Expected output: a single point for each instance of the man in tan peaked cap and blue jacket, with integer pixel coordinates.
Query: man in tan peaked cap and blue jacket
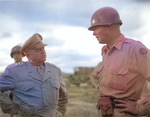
(37, 86)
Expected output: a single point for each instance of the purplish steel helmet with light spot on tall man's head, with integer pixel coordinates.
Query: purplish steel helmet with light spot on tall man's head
(105, 16)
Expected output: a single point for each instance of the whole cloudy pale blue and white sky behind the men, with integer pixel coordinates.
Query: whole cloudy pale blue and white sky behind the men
(64, 25)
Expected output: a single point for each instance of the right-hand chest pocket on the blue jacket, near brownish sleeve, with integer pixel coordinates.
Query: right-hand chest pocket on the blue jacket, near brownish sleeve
(55, 89)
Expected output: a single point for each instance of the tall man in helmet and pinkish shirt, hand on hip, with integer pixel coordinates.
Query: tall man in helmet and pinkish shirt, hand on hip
(125, 64)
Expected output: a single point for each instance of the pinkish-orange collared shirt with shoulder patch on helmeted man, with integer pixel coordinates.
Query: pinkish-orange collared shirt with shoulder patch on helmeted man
(126, 67)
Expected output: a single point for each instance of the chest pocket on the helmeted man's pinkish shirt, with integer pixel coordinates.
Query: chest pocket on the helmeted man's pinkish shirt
(117, 78)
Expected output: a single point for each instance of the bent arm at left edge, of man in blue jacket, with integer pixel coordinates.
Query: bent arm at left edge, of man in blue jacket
(6, 84)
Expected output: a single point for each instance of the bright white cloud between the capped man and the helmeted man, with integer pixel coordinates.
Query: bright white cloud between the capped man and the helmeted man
(77, 50)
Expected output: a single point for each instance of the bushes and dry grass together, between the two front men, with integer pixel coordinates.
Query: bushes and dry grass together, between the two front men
(82, 95)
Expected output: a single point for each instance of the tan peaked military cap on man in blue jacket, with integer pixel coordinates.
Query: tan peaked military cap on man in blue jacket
(35, 41)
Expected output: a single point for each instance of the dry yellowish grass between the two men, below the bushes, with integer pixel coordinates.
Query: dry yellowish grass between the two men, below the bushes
(82, 102)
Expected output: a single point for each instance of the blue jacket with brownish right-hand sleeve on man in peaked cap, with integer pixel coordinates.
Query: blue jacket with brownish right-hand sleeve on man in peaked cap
(33, 94)
